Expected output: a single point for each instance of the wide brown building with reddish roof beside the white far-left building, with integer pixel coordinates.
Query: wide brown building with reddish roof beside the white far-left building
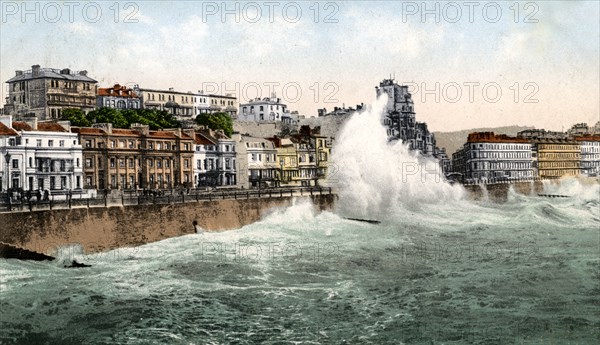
(136, 158)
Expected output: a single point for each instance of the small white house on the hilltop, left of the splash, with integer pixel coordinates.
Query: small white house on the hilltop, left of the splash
(266, 109)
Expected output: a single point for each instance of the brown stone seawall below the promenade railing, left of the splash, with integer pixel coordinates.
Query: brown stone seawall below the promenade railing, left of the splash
(105, 228)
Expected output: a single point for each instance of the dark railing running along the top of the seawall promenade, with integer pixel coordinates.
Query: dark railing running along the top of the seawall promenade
(145, 198)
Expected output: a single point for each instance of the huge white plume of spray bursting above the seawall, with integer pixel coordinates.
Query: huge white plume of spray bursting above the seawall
(375, 176)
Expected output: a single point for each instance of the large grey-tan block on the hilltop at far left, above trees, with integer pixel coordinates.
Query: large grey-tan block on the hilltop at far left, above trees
(45, 92)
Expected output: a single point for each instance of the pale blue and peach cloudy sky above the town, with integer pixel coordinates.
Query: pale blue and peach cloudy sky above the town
(468, 64)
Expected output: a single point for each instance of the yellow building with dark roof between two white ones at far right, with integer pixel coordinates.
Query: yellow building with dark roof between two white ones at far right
(557, 158)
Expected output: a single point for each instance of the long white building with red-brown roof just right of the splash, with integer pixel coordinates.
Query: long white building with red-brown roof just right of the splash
(490, 158)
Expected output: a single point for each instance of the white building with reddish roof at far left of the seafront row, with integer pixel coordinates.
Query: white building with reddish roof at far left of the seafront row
(42, 156)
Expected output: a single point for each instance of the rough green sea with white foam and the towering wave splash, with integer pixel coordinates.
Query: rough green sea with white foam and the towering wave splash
(438, 268)
